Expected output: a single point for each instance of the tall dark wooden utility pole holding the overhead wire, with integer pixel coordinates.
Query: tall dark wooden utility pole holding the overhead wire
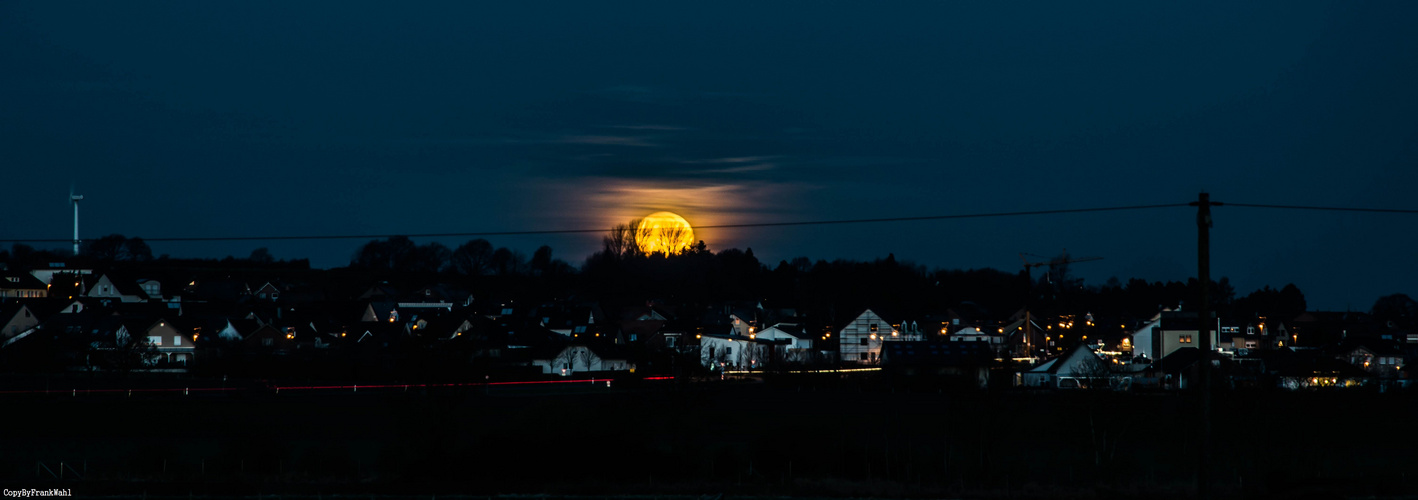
(1205, 342)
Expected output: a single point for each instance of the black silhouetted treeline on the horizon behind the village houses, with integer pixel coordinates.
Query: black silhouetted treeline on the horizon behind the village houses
(700, 277)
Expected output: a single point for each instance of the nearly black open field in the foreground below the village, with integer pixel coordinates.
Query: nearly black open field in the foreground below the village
(783, 438)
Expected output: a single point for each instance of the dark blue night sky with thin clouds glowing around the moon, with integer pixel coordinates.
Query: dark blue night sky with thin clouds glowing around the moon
(235, 120)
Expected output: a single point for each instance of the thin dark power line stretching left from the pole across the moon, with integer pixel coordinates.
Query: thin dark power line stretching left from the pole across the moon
(603, 230)
